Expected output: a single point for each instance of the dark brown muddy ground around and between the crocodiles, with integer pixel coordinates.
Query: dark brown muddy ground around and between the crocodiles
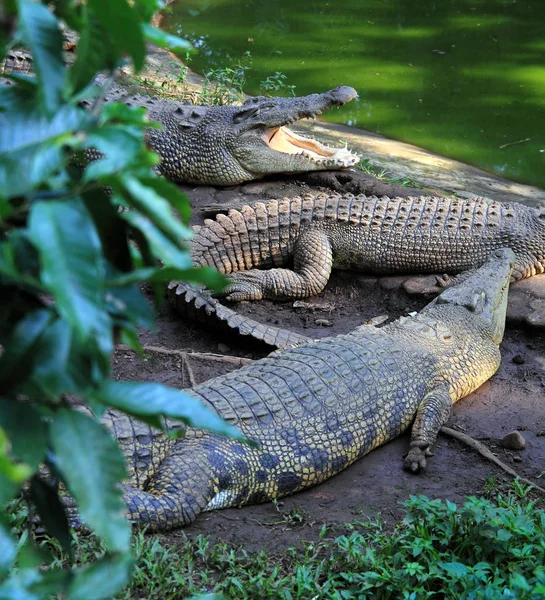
(513, 399)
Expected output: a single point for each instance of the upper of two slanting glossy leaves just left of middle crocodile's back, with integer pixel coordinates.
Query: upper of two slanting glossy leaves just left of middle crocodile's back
(146, 196)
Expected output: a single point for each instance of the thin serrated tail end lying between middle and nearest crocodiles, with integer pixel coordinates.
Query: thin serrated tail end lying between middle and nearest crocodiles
(198, 304)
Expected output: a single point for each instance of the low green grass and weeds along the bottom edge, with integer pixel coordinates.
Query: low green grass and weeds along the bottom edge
(483, 549)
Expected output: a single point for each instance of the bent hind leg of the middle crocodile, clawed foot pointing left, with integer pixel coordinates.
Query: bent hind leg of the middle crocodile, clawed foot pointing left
(313, 260)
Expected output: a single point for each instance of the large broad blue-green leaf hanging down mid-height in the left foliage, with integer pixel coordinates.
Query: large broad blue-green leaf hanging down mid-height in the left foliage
(72, 265)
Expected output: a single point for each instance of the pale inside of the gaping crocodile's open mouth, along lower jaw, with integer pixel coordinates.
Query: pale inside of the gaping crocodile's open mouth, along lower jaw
(282, 139)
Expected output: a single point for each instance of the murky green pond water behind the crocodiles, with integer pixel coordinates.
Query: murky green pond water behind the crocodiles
(464, 78)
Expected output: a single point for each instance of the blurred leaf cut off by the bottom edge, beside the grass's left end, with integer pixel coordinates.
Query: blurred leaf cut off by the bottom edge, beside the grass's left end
(102, 579)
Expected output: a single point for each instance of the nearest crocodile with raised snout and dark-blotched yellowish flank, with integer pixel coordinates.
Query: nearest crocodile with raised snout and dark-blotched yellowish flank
(313, 410)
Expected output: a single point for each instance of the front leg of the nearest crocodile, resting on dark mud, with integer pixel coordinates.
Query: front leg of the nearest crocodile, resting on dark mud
(433, 412)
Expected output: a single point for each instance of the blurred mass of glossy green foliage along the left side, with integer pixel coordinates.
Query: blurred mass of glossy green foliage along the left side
(72, 253)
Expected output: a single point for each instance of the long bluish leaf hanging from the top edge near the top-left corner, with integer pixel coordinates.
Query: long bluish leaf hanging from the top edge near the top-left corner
(39, 30)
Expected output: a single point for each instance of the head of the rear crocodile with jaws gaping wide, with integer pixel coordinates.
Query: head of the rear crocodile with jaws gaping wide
(228, 145)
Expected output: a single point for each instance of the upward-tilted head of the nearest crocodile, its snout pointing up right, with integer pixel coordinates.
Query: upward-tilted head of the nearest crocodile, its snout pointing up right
(484, 291)
